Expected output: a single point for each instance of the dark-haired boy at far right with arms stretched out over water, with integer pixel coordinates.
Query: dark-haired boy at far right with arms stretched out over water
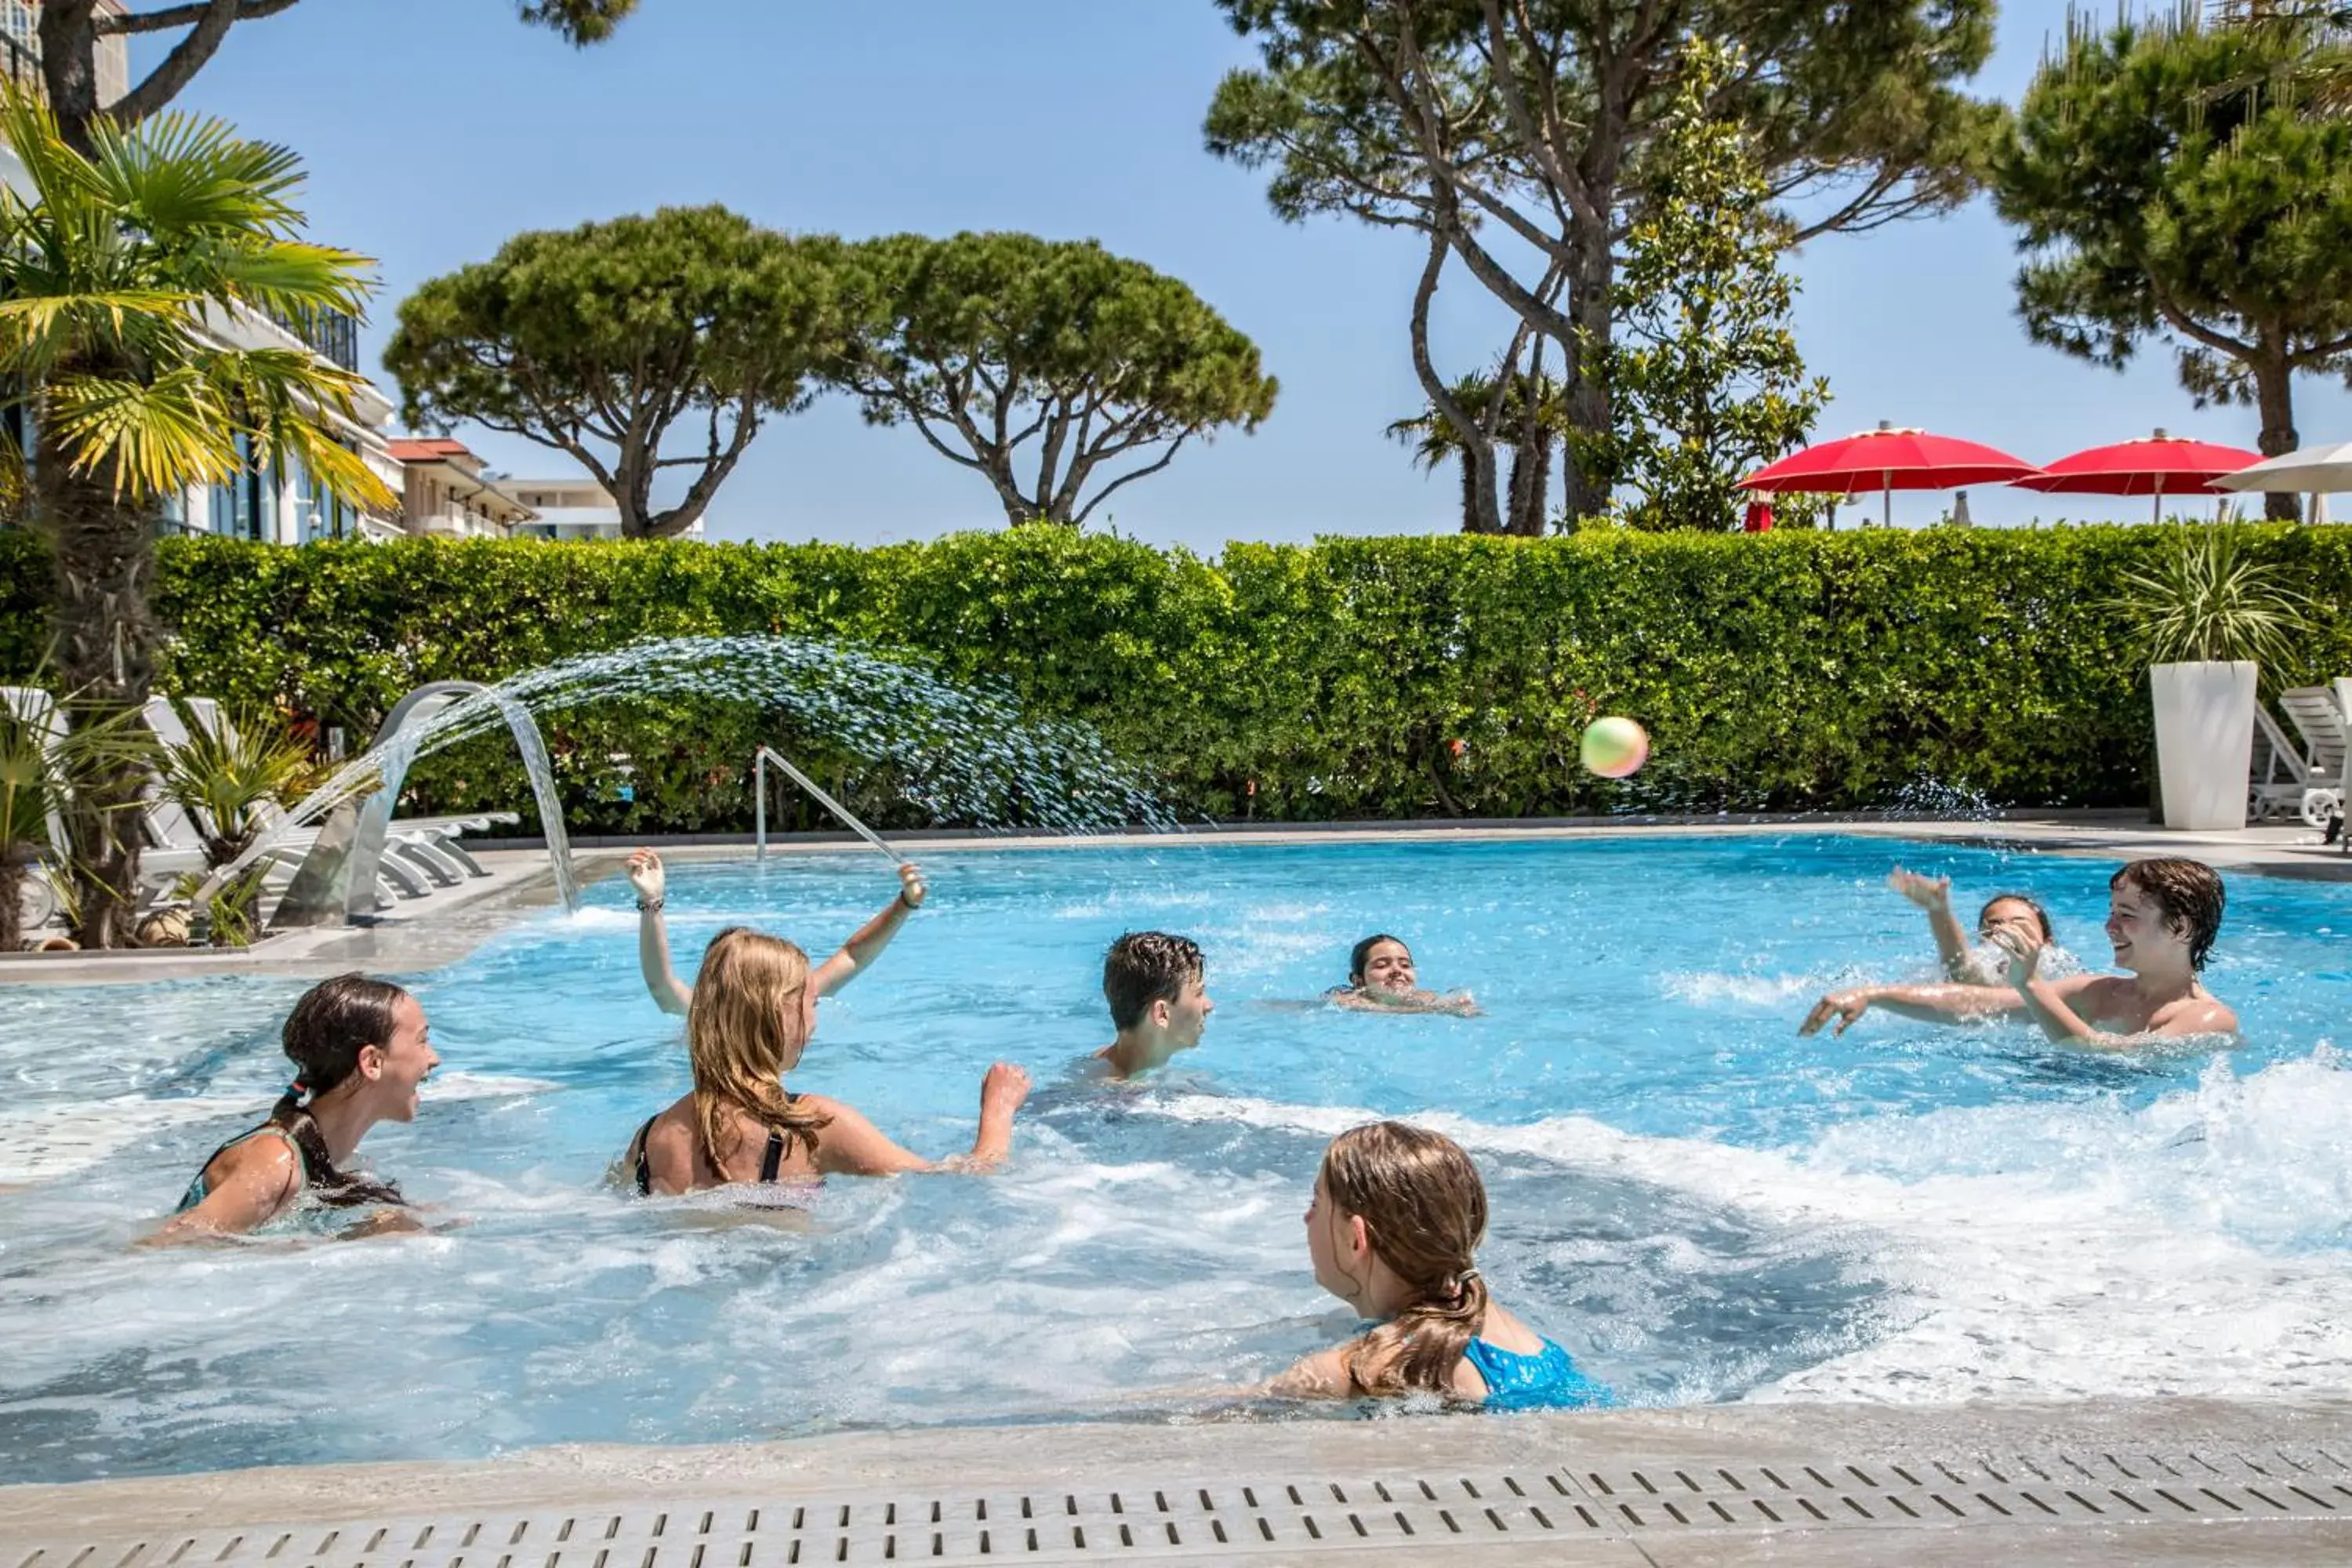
(2163, 918)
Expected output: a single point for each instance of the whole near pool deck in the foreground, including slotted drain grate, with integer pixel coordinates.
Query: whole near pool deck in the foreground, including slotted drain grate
(2087, 1482)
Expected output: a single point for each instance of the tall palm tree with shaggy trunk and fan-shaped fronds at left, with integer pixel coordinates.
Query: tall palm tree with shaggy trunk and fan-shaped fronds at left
(112, 283)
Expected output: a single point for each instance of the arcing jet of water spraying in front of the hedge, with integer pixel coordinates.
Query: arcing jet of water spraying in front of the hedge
(963, 753)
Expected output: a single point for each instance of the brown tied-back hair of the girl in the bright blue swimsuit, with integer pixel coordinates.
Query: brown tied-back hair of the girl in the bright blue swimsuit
(1424, 1212)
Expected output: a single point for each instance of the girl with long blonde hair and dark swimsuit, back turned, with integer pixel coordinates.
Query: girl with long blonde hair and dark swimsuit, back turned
(751, 1019)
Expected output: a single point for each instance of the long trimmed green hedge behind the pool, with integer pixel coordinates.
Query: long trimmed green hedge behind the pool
(1789, 671)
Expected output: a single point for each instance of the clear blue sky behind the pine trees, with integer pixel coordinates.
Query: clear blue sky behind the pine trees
(439, 128)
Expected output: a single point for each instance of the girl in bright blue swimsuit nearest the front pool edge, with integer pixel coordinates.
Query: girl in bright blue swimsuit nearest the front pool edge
(1394, 1233)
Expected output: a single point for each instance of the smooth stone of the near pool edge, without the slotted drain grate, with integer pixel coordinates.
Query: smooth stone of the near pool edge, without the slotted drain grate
(1215, 1454)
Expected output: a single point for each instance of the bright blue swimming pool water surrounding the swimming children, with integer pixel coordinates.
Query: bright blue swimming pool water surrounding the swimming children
(1699, 1205)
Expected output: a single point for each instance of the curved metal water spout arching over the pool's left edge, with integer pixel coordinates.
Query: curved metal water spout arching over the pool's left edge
(338, 880)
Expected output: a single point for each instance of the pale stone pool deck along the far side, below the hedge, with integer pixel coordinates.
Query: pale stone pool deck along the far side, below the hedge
(455, 923)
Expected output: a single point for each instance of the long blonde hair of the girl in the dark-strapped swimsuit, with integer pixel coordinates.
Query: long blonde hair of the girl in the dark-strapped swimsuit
(744, 1031)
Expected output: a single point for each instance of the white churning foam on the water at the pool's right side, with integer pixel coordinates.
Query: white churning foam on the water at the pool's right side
(2036, 1249)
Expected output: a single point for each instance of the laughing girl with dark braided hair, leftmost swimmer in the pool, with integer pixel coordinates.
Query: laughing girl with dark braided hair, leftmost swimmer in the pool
(361, 1050)
